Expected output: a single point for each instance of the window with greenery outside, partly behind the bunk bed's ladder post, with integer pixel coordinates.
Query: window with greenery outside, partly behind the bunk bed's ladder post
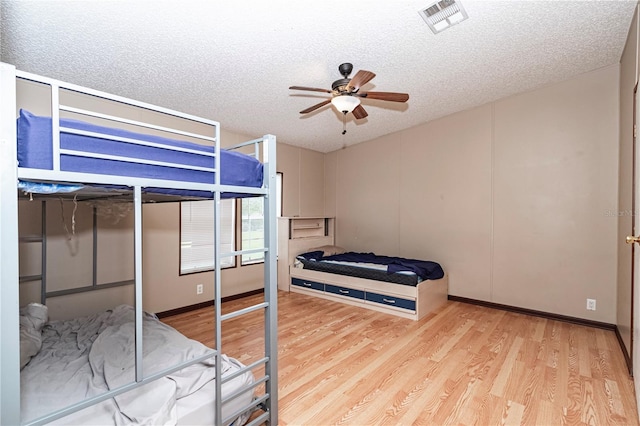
(252, 210)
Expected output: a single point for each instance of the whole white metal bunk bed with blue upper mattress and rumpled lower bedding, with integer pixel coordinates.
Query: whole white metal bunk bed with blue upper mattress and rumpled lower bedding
(67, 156)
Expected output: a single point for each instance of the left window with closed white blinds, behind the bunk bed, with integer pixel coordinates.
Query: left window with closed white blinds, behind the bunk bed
(196, 235)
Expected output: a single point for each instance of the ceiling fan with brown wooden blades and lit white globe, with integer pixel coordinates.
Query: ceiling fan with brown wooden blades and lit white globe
(346, 93)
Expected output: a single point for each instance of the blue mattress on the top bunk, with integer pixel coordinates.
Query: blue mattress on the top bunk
(35, 151)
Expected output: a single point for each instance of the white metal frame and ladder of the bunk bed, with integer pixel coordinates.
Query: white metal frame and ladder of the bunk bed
(10, 173)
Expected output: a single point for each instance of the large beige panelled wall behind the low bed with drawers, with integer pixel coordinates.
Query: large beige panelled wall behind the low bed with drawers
(513, 198)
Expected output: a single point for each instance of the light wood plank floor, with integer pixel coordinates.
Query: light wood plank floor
(462, 365)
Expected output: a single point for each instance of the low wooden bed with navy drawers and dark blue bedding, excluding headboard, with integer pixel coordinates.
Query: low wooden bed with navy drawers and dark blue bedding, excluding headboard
(404, 287)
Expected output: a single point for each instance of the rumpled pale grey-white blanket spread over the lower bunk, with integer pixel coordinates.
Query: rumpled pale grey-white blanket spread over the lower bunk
(85, 357)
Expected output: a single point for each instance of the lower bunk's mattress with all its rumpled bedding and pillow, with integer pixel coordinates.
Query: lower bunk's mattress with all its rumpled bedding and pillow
(65, 362)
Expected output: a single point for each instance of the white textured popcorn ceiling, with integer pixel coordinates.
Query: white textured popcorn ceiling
(233, 61)
